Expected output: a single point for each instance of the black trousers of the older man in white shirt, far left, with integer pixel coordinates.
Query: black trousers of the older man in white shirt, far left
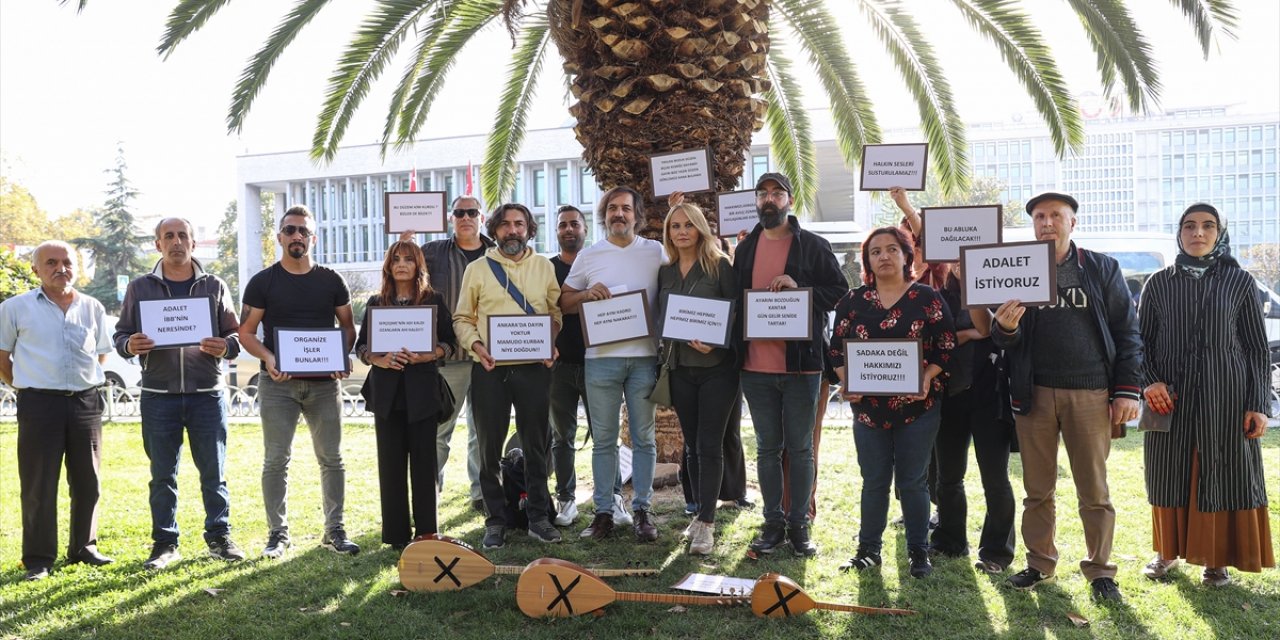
(49, 429)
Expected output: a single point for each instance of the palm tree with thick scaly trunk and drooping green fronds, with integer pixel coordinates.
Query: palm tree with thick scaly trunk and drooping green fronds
(652, 76)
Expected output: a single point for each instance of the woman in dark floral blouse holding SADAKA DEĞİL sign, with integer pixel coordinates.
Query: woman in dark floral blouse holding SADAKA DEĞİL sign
(894, 435)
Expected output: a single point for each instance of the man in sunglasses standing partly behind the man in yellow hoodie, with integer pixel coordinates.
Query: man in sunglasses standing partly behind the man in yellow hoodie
(446, 262)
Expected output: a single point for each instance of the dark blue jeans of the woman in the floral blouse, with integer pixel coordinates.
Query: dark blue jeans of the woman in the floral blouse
(899, 455)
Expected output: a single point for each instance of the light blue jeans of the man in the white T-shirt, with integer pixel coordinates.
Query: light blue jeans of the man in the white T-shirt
(609, 382)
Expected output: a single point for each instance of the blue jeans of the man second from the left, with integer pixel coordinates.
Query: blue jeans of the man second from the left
(205, 419)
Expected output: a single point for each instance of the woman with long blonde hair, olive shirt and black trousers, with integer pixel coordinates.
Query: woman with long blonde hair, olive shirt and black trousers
(705, 380)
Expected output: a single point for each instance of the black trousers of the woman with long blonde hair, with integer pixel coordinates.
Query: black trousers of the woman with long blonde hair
(703, 399)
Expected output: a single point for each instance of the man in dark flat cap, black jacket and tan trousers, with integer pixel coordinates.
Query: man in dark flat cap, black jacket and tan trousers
(1075, 372)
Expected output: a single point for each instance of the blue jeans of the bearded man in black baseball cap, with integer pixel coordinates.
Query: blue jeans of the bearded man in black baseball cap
(784, 408)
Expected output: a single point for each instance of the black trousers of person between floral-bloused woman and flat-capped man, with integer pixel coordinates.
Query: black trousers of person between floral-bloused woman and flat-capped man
(966, 418)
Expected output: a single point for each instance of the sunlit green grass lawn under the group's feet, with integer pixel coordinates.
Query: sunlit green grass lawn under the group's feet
(317, 595)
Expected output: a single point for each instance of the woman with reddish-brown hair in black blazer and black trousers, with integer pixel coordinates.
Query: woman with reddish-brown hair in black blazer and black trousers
(403, 391)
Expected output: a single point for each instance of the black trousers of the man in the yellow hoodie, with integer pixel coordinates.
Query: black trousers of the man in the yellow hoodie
(493, 395)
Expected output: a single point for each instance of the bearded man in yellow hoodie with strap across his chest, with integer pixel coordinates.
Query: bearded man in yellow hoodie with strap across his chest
(511, 280)
